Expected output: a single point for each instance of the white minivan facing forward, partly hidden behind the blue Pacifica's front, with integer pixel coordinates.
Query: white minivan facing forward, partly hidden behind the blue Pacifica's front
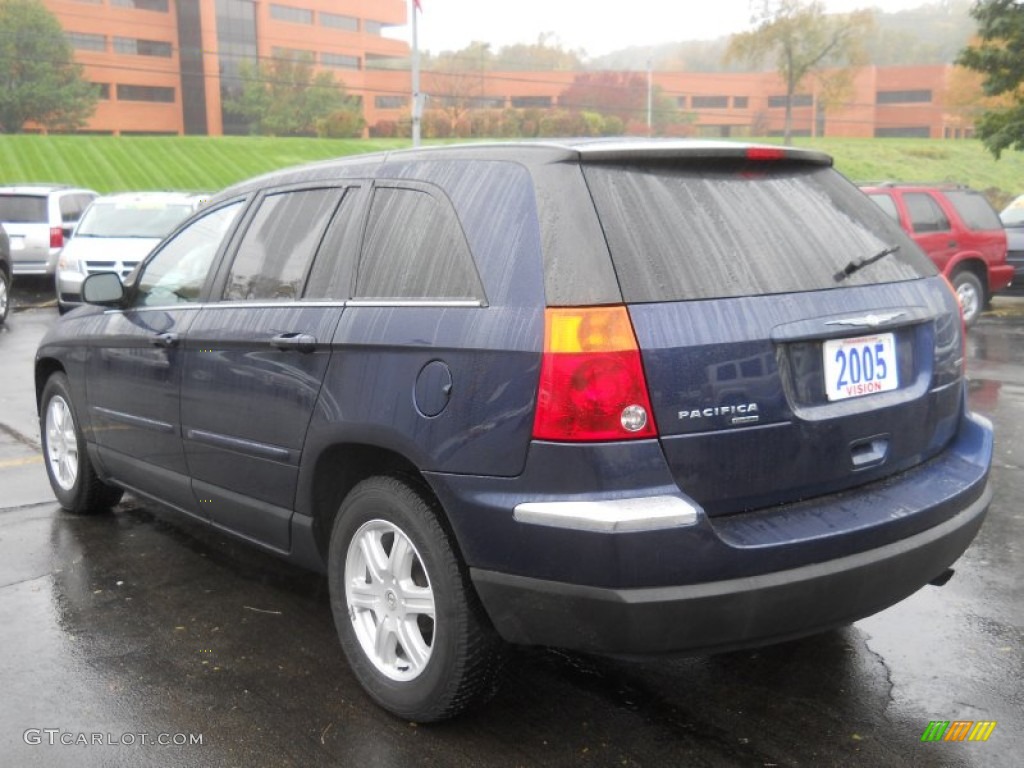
(115, 234)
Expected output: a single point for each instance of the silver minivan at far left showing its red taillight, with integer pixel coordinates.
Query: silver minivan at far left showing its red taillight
(39, 219)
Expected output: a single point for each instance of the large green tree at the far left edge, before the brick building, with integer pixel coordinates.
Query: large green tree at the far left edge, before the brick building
(39, 80)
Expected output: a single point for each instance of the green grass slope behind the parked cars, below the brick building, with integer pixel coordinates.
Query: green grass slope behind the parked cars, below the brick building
(207, 164)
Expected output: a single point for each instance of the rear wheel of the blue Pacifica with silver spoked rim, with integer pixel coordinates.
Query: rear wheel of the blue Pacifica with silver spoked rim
(407, 616)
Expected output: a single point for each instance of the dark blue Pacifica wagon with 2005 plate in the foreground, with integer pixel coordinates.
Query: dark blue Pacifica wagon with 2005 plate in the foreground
(616, 397)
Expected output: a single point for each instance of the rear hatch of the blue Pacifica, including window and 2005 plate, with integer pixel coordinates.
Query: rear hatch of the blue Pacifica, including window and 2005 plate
(795, 342)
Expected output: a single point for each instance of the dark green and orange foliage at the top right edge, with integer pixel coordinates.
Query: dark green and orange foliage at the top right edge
(998, 57)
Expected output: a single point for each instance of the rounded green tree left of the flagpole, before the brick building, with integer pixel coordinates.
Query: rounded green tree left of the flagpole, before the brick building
(286, 99)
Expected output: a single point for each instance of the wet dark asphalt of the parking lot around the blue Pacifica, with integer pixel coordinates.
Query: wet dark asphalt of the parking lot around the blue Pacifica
(125, 638)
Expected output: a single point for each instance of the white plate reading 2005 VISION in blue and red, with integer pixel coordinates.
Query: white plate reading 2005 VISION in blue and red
(859, 367)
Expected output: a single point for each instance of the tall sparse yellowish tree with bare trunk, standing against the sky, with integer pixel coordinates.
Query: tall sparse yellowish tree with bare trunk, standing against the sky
(803, 40)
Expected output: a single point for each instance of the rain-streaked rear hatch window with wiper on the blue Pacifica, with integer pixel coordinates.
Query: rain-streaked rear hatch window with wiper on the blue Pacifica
(727, 229)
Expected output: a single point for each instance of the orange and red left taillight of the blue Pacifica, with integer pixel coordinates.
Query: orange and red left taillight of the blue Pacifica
(592, 382)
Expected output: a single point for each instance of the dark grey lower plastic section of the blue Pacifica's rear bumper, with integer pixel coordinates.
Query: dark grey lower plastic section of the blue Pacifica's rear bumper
(721, 616)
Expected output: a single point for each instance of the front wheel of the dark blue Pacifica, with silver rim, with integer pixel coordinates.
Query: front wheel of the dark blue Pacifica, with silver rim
(72, 476)
